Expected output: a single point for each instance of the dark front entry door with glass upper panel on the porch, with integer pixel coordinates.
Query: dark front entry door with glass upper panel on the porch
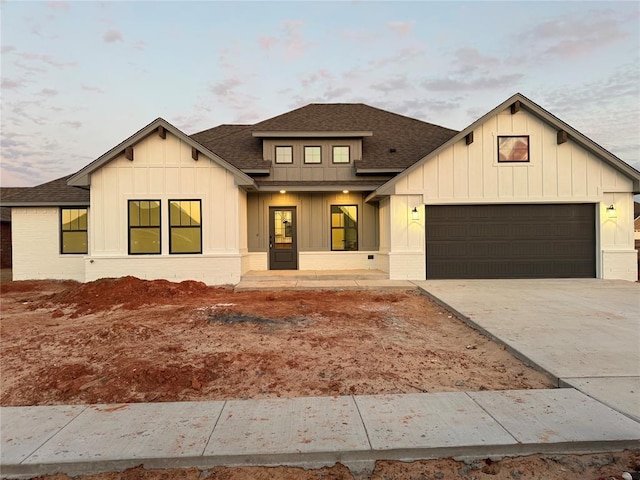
(283, 244)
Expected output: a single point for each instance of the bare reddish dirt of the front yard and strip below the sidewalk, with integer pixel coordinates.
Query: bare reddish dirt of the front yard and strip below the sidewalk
(128, 340)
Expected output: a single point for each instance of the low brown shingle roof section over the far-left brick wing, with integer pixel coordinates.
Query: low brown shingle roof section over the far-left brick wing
(56, 192)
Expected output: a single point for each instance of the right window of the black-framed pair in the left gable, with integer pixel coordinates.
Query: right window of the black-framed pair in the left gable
(185, 226)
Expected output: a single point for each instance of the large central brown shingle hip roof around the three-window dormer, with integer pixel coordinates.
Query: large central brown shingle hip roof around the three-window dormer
(412, 139)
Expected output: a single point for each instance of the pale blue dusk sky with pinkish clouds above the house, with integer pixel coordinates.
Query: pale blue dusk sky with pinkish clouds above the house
(80, 77)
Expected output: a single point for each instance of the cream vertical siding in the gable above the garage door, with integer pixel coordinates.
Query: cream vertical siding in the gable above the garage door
(461, 172)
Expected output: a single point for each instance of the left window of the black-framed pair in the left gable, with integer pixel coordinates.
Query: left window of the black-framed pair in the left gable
(144, 227)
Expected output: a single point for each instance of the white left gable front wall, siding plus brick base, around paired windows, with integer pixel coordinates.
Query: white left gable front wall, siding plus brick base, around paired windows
(163, 169)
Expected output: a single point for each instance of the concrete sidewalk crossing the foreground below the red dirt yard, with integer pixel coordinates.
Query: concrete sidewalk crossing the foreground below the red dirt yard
(308, 431)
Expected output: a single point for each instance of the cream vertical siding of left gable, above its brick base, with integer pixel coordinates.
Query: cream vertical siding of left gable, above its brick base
(163, 170)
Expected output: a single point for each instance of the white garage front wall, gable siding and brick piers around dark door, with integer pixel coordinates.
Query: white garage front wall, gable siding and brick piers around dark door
(470, 174)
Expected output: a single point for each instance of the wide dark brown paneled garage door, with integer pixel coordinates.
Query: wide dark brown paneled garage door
(510, 241)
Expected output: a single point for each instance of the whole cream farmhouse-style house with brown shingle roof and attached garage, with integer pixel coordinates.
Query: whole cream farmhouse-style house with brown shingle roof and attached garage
(516, 194)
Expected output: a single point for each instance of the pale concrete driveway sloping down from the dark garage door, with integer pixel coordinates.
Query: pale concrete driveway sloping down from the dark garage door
(584, 333)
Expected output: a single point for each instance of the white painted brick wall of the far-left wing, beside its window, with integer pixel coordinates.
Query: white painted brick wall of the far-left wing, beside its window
(36, 247)
